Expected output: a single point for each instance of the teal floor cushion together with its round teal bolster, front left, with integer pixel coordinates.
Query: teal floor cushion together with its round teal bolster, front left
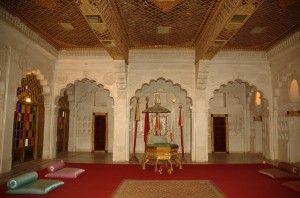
(29, 183)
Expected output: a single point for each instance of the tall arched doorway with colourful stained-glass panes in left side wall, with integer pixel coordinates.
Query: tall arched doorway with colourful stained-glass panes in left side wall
(28, 128)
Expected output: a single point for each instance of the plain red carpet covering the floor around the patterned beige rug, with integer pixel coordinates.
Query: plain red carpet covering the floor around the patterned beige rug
(101, 180)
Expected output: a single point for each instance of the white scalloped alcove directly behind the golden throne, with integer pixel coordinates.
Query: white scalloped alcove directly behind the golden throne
(167, 91)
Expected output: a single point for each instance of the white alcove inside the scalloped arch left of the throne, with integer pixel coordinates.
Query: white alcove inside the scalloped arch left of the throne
(86, 99)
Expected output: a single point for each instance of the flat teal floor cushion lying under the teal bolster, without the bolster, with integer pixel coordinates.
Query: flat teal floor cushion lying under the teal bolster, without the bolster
(38, 187)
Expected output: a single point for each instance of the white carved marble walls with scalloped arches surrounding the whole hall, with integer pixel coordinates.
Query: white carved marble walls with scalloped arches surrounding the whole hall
(22, 51)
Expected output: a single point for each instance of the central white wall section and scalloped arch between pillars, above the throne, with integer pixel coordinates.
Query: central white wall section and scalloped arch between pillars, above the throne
(169, 72)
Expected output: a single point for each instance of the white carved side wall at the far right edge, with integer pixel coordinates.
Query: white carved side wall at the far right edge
(285, 66)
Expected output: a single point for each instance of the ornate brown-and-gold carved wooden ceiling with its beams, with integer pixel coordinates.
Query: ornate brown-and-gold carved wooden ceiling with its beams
(119, 25)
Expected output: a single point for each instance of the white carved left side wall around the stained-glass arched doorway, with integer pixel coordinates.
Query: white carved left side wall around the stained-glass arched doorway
(19, 55)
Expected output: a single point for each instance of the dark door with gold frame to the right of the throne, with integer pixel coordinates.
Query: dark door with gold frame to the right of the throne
(219, 133)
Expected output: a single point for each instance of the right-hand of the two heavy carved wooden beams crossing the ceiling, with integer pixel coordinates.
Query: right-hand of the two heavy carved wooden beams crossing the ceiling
(228, 20)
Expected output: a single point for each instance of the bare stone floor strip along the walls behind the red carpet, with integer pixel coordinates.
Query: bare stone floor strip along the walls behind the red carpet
(101, 157)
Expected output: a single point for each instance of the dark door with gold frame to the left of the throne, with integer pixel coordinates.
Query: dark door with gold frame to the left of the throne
(100, 132)
